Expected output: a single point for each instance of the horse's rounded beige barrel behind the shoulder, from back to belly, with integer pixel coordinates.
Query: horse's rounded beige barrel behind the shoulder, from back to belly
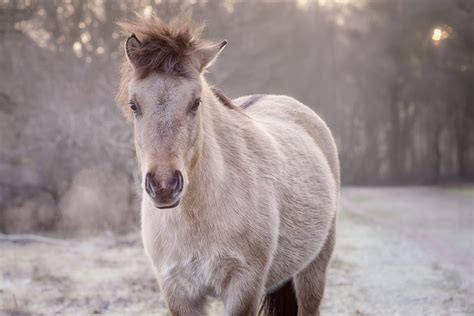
(307, 169)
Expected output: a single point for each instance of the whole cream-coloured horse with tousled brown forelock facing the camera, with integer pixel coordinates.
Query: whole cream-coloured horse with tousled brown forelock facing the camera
(239, 197)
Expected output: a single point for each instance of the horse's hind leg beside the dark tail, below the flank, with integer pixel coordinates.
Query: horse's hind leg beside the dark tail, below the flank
(310, 282)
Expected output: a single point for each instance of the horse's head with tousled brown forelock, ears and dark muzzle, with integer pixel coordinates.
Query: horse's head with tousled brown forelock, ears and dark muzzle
(162, 94)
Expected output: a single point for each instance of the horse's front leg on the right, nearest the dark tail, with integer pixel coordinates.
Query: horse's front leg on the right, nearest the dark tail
(243, 294)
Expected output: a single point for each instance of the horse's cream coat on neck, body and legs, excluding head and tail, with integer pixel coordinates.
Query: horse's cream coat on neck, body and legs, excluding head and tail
(258, 208)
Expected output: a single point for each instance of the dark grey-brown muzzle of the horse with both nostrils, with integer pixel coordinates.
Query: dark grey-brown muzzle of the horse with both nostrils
(165, 192)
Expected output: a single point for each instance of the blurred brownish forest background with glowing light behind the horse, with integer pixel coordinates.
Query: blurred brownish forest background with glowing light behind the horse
(392, 78)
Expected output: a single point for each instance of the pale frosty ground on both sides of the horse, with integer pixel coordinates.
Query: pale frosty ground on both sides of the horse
(400, 251)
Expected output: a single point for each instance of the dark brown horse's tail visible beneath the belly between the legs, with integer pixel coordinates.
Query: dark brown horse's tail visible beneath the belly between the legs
(281, 302)
